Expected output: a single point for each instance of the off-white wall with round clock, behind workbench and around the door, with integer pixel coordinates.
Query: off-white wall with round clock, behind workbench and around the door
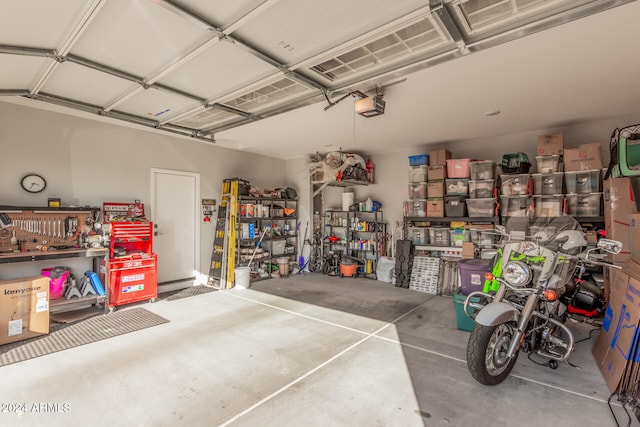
(88, 162)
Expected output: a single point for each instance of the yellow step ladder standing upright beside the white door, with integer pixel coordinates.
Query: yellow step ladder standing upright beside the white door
(223, 255)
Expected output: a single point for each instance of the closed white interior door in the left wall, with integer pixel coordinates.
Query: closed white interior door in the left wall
(175, 200)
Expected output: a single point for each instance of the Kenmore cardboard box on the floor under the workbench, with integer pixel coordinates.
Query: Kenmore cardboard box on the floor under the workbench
(24, 308)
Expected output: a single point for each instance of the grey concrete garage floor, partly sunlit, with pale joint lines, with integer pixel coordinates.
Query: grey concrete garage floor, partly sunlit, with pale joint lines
(306, 350)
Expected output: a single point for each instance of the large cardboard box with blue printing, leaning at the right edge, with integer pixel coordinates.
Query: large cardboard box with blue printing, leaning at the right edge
(615, 350)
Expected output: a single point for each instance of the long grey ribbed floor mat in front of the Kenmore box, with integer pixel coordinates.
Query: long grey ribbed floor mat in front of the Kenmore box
(84, 332)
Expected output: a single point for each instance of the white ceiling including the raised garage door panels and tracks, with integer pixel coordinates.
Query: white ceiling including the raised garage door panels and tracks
(259, 75)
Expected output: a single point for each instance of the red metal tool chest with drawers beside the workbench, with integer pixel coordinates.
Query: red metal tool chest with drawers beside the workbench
(132, 268)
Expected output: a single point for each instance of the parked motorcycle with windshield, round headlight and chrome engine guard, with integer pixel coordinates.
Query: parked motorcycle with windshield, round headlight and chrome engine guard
(524, 304)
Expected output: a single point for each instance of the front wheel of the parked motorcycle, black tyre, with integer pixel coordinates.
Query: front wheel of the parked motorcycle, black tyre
(487, 353)
